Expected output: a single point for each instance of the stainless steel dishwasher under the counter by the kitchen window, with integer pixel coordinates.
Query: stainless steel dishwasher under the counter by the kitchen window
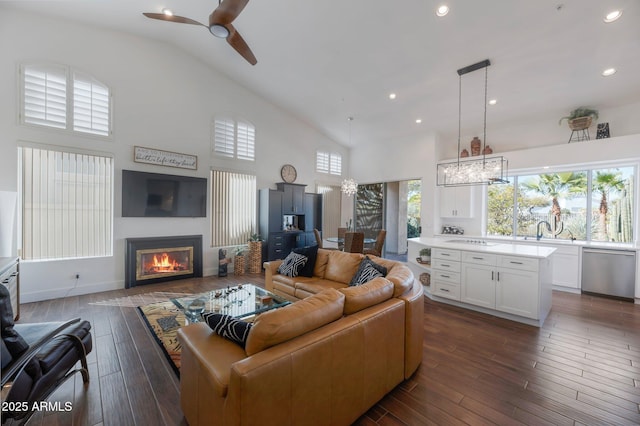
(609, 272)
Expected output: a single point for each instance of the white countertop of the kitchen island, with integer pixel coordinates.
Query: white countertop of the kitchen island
(494, 247)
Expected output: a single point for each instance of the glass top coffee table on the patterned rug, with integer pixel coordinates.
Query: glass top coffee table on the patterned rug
(241, 301)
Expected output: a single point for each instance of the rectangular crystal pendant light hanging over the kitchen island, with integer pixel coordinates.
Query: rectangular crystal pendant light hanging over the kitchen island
(480, 171)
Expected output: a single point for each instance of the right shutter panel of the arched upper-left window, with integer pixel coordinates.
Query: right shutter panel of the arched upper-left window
(90, 106)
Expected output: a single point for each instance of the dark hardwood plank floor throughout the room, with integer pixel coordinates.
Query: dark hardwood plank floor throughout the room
(581, 368)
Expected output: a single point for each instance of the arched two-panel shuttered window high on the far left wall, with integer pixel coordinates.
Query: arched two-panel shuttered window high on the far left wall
(46, 101)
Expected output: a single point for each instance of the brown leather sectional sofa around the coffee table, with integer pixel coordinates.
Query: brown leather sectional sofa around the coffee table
(323, 360)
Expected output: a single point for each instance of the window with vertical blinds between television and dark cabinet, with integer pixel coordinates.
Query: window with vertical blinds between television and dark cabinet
(233, 208)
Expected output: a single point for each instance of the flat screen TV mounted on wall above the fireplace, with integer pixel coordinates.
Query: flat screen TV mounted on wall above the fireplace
(159, 195)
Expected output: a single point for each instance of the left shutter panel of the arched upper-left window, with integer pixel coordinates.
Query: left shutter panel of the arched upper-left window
(45, 96)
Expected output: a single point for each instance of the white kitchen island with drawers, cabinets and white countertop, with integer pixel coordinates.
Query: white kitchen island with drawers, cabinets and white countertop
(510, 281)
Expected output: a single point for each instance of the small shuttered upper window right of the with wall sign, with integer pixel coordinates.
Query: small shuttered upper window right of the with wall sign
(233, 138)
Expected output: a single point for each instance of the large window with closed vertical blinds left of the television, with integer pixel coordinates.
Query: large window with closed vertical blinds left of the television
(67, 204)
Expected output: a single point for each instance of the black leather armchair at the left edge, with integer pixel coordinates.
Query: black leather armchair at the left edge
(37, 358)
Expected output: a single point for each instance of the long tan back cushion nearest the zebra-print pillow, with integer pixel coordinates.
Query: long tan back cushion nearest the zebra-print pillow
(279, 325)
